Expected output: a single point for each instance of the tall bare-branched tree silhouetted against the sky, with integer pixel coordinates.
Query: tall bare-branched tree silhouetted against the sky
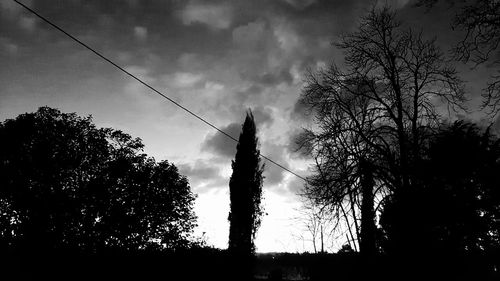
(373, 116)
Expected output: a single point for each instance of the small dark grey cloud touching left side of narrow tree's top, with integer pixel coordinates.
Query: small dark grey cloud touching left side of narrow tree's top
(220, 144)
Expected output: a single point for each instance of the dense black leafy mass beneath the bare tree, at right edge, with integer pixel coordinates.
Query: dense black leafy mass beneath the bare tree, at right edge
(453, 205)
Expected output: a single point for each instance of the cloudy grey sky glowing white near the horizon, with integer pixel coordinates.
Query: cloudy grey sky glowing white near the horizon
(217, 58)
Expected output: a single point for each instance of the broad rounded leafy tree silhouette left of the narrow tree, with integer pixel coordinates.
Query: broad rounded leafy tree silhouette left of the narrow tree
(68, 185)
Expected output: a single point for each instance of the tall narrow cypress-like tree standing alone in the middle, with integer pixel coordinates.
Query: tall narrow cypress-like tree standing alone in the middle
(245, 188)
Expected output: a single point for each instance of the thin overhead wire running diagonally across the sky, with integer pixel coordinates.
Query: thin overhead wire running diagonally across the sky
(149, 86)
